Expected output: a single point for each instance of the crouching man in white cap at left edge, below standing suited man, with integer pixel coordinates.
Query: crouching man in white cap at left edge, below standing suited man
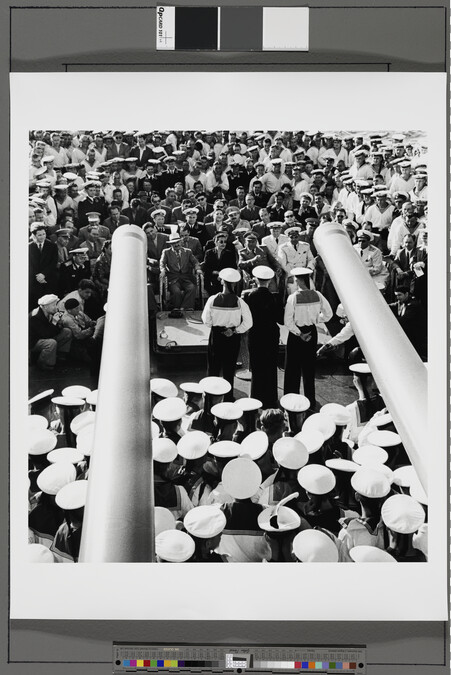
(48, 338)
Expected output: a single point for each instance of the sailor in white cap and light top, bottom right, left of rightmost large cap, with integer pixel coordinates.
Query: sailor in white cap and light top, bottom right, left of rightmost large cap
(371, 488)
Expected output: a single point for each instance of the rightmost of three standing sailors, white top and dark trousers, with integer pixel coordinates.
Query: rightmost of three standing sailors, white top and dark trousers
(305, 308)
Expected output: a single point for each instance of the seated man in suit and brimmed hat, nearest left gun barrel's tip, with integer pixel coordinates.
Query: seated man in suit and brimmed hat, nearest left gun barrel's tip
(179, 266)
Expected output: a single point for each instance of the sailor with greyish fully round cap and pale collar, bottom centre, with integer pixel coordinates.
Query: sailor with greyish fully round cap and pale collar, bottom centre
(242, 539)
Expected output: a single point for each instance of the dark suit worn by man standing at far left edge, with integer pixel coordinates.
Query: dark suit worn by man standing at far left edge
(42, 262)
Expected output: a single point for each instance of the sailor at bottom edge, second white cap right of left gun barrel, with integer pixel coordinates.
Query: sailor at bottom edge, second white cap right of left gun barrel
(205, 525)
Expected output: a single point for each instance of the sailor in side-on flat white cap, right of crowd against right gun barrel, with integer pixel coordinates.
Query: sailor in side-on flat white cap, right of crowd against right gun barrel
(367, 405)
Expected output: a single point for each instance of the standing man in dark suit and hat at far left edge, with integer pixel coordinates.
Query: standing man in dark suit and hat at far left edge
(43, 264)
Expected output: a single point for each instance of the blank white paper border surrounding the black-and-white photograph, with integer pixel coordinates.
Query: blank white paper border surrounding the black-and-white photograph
(237, 101)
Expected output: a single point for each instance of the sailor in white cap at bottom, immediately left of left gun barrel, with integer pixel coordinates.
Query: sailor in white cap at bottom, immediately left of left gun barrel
(71, 499)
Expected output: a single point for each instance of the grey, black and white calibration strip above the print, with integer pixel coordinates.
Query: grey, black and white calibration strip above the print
(234, 29)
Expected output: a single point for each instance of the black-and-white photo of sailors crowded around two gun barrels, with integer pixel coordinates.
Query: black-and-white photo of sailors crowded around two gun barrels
(227, 345)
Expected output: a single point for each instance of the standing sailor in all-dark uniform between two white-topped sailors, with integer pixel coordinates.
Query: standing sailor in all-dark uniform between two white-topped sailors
(267, 312)
